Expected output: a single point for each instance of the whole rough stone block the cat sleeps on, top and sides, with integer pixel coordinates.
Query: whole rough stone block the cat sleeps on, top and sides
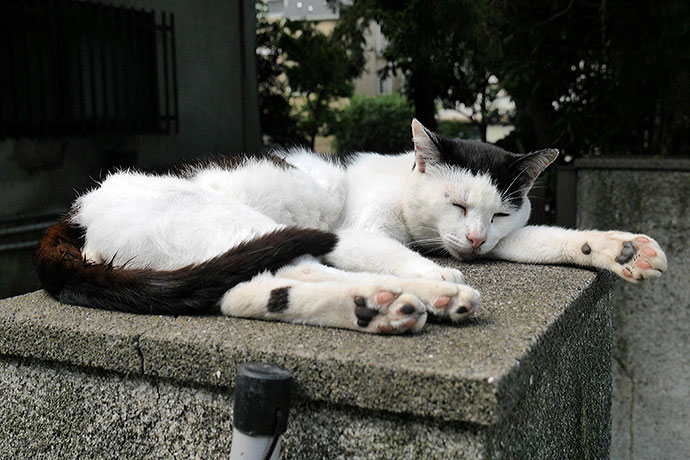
(530, 374)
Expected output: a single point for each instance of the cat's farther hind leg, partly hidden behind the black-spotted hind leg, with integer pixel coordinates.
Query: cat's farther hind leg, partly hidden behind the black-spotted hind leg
(441, 298)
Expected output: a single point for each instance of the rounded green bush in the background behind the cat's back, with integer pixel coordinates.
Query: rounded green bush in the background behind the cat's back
(374, 124)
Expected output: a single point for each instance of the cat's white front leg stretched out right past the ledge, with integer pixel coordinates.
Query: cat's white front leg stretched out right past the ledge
(632, 257)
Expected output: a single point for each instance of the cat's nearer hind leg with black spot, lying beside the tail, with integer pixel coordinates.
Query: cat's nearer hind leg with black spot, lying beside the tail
(366, 307)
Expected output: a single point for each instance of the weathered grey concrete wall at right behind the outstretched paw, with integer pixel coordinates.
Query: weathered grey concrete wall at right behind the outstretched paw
(651, 409)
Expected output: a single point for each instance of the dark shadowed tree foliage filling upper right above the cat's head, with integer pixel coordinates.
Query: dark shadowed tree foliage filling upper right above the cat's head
(587, 77)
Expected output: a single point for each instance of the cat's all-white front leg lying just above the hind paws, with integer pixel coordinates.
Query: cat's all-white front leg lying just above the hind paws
(361, 251)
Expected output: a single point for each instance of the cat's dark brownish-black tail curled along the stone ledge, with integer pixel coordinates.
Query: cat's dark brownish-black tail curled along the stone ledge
(196, 289)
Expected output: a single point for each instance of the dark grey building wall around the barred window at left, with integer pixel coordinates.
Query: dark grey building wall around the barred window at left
(218, 112)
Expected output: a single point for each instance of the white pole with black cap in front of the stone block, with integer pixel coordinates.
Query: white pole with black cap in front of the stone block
(261, 407)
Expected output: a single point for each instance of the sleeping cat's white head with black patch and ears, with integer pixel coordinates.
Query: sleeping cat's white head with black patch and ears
(464, 196)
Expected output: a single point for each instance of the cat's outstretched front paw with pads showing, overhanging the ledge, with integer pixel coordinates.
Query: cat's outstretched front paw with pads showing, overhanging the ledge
(632, 257)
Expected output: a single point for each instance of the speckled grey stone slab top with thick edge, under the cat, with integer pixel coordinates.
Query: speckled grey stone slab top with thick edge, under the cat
(471, 372)
